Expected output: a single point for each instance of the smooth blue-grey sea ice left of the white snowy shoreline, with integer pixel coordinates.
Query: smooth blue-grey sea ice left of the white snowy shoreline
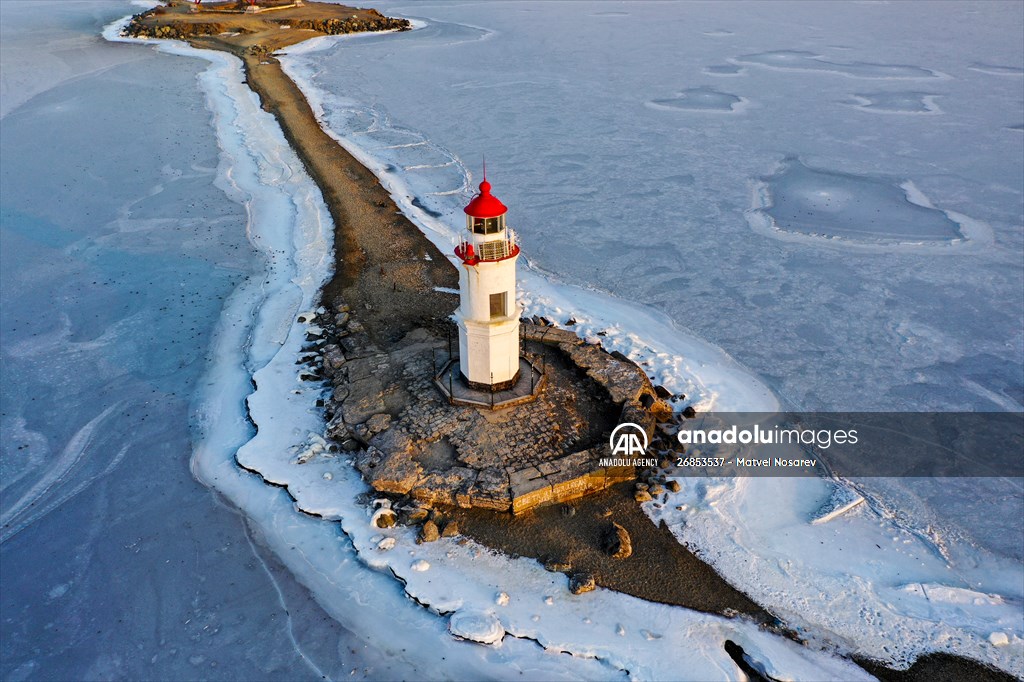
(117, 252)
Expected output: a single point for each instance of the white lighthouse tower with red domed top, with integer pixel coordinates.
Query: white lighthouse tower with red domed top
(488, 315)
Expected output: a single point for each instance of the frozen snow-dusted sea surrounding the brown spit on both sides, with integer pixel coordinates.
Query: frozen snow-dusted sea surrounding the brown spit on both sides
(629, 156)
